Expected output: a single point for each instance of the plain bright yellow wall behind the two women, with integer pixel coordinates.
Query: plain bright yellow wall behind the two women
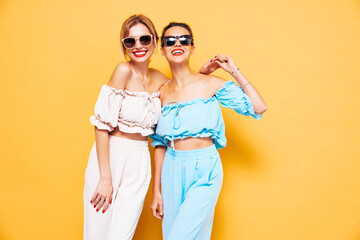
(294, 175)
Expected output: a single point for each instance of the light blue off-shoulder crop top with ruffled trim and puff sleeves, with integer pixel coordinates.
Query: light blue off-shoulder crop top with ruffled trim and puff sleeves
(201, 117)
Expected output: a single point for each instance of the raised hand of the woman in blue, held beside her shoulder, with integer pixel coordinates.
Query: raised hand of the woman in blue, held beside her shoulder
(219, 61)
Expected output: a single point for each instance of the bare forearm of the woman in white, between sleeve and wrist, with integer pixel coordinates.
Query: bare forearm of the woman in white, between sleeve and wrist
(102, 150)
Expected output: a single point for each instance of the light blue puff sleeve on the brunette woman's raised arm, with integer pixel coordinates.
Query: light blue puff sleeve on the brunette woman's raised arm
(233, 97)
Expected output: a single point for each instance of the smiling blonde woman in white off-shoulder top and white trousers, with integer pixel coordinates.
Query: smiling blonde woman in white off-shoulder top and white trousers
(128, 107)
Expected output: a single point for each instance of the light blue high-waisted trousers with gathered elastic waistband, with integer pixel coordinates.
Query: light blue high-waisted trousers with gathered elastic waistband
(190, 183)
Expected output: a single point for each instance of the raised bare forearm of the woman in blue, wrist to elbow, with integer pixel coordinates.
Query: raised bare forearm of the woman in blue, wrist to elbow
(256, 99)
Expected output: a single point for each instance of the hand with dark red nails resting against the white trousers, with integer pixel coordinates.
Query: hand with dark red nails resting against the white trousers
(103, 195)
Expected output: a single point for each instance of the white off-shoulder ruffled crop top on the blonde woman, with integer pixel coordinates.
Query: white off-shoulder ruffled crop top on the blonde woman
(131, 112)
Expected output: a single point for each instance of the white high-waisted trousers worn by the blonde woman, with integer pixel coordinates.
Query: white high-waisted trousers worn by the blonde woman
(130, 174)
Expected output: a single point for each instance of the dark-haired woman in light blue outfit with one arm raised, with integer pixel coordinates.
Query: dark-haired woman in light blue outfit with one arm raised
(189, 133)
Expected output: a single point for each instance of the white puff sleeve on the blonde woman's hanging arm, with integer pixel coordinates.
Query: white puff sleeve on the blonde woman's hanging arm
(107, 108)
